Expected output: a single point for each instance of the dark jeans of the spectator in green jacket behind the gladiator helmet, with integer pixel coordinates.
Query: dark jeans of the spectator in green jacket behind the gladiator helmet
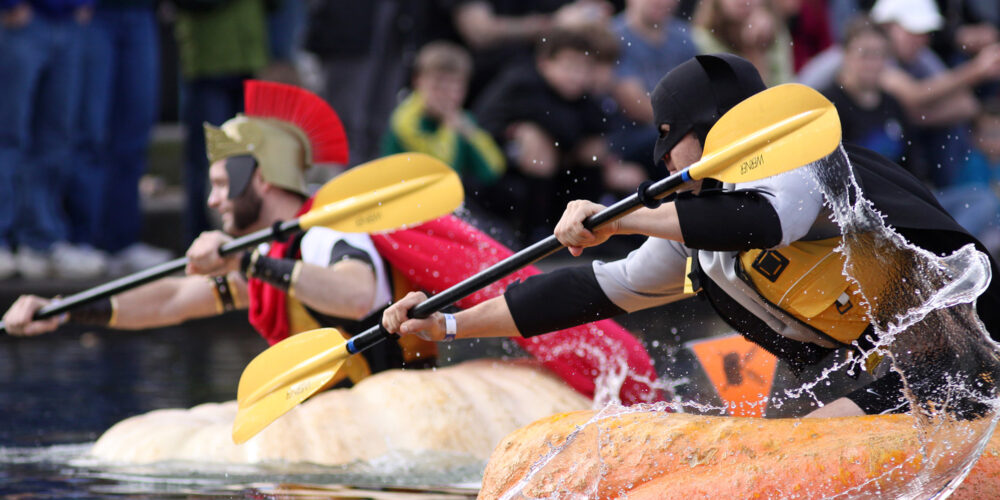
(204, 100)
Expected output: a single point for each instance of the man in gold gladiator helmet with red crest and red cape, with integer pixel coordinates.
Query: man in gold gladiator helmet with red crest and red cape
(320, 277)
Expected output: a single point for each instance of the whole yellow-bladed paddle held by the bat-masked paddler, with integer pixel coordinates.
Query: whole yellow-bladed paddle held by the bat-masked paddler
(775, 131)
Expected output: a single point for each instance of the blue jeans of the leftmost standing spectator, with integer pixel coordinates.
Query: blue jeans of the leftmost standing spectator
(40, 64)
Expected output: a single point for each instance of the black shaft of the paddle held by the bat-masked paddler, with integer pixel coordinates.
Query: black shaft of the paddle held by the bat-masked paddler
(528, 256)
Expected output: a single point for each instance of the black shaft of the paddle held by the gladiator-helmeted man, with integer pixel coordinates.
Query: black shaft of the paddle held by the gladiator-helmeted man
(277, 231)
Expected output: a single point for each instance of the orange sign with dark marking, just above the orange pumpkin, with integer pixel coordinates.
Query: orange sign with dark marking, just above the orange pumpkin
(741, 371)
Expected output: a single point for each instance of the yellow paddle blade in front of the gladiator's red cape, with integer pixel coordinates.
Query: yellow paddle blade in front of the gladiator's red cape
(392, 192)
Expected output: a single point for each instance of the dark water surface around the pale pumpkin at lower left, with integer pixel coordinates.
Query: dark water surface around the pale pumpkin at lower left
(60, 392)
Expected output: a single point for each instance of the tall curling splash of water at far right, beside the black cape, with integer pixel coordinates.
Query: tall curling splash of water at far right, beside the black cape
(925, 329)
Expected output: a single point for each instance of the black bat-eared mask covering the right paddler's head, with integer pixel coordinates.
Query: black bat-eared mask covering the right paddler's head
(695, 94)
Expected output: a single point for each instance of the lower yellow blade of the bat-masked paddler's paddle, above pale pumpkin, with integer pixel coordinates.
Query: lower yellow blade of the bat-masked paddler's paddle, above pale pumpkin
(284, 375)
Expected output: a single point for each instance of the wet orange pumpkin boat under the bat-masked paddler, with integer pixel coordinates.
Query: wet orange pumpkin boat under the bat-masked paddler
(649, 454)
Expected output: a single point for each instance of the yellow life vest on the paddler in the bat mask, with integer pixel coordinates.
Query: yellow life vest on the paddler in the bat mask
(806, 280)
